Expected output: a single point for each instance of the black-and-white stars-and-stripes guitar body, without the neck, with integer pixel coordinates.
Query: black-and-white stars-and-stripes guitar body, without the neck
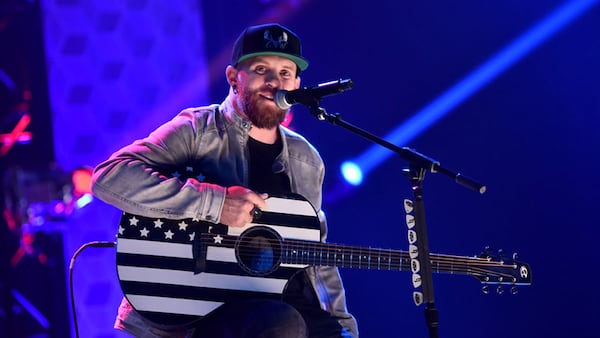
(174, 272)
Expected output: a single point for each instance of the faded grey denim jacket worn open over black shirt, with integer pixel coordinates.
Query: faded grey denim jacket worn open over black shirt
(137, 179)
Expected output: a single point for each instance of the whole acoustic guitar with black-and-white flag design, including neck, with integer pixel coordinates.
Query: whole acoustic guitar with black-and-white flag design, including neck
(177, 271)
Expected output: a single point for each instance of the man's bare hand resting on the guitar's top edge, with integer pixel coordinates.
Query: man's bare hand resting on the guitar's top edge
(240, 204)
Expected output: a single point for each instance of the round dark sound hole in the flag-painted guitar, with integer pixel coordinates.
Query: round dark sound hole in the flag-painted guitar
(258, 250)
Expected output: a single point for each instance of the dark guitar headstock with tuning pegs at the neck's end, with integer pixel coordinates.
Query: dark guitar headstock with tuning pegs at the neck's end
(501, 271)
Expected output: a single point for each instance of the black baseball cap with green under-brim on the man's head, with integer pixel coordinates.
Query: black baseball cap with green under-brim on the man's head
(268, 39)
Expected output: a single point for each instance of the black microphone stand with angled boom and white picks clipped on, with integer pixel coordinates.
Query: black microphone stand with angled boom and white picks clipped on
(419, 164)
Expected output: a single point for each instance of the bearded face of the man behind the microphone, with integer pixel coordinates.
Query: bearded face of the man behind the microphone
(258, 79)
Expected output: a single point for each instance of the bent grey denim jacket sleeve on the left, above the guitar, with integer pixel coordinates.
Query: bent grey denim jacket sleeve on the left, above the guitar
(136, 178)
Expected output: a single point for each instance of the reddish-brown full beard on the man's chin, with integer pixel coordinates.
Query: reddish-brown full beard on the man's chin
(261, 114)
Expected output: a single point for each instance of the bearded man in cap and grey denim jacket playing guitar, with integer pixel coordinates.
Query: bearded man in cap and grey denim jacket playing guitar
(243, 155)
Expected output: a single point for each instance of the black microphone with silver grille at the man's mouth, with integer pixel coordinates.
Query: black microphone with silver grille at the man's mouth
(284, 99)
